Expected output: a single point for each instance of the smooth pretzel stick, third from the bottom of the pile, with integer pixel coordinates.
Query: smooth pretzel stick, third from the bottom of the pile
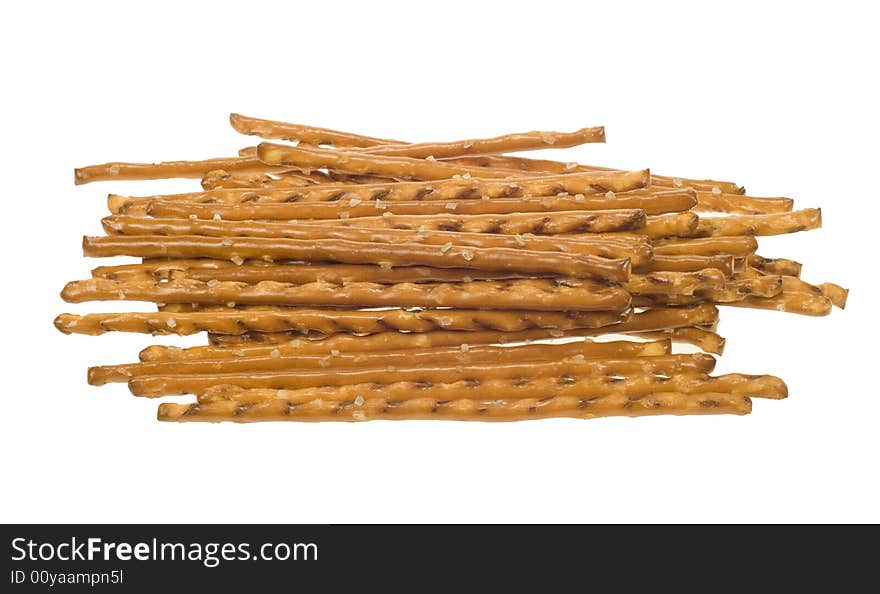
(154, 386)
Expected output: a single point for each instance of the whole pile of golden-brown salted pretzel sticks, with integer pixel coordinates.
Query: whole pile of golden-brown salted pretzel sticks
(342, 277)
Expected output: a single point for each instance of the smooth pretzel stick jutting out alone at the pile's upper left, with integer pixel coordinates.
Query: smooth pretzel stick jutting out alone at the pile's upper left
(167, 169)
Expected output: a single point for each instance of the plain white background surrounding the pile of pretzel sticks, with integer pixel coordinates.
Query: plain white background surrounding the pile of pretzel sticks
(780, 97)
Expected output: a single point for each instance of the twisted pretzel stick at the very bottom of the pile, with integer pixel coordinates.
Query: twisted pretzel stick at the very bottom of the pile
(458, 410)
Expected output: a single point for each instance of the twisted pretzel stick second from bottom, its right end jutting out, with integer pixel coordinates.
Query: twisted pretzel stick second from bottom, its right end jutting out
(735, 384)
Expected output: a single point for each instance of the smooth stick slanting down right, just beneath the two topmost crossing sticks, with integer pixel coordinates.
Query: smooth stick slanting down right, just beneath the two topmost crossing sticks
(365, 164)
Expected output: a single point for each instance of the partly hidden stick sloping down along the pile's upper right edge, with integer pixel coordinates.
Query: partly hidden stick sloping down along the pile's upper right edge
(506, 162)
